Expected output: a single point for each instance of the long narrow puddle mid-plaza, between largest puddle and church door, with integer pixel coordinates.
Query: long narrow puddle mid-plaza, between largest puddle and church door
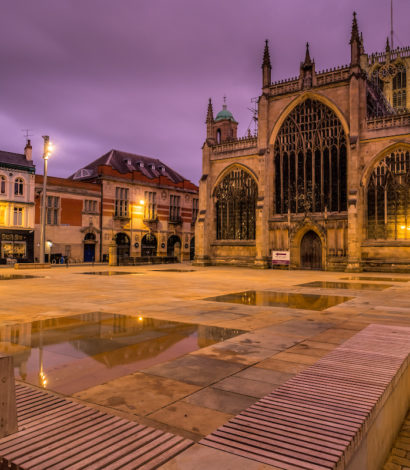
(282, 299)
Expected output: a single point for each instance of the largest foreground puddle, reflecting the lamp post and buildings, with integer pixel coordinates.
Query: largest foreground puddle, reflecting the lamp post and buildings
(69, 354)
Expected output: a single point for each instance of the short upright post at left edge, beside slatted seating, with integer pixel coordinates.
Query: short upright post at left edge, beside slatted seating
(8, 411)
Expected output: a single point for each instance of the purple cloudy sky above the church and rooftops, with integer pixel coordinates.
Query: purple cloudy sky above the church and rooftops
(136, 75)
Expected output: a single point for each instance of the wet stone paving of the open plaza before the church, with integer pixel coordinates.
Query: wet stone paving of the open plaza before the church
(198, 390)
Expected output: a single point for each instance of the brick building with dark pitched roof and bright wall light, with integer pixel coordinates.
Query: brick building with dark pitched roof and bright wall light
(147, 209)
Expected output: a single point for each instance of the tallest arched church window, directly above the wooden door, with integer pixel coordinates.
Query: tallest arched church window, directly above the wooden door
(311, 161)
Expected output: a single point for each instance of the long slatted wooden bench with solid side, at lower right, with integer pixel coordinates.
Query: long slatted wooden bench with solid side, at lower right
(343, 412)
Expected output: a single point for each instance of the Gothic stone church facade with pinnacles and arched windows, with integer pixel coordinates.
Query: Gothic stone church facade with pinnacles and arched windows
(327, 177)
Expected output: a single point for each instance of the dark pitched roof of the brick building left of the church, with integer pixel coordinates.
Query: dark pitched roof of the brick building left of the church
(125, 162)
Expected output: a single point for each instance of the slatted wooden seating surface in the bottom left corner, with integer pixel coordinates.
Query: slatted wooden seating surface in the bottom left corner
(56, 433)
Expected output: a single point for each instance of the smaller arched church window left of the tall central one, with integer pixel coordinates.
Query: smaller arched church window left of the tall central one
(236, 197)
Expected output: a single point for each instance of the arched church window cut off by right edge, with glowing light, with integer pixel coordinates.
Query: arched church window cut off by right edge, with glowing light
(388, 197)
